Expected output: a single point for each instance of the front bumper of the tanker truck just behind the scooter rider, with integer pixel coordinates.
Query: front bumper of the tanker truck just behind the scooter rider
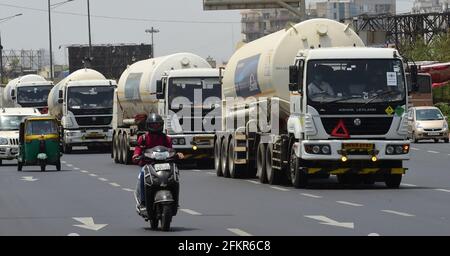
(195, 146)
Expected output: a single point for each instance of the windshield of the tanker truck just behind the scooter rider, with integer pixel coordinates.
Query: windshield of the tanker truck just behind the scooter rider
(198, 91)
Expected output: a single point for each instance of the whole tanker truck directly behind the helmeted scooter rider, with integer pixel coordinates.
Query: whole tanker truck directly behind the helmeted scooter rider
(184, 90)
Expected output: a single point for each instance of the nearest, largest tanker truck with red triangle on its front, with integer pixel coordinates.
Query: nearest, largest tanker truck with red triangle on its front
(311, 101)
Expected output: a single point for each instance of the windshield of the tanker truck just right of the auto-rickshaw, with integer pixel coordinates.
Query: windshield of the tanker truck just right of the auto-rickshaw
(90, 98)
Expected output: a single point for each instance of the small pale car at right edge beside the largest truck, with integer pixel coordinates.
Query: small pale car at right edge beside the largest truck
(427, 123)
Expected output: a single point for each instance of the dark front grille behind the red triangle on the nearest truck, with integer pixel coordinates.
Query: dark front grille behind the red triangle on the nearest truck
(369, 125)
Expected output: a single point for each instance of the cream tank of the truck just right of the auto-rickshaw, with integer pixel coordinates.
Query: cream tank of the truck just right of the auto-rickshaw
(55, 108)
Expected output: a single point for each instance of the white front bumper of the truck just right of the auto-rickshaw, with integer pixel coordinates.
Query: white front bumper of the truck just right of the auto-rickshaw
(87, 137)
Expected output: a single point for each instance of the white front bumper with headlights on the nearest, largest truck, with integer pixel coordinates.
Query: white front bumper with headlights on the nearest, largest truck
(337, 150)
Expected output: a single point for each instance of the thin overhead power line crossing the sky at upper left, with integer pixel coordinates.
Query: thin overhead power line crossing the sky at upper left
(122, 18)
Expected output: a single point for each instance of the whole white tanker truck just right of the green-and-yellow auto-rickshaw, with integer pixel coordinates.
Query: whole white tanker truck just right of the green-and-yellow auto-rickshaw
(83, 102)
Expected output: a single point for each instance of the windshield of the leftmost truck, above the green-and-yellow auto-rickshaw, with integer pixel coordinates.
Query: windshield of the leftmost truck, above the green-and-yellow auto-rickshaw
(35, 95)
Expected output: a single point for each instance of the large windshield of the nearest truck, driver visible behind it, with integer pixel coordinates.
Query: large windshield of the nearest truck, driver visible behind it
(356, 81)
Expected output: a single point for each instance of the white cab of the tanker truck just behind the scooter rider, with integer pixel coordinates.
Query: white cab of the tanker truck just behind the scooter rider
(190, 99)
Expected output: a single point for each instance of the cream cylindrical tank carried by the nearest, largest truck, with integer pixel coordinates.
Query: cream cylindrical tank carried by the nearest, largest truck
(261, 68)
